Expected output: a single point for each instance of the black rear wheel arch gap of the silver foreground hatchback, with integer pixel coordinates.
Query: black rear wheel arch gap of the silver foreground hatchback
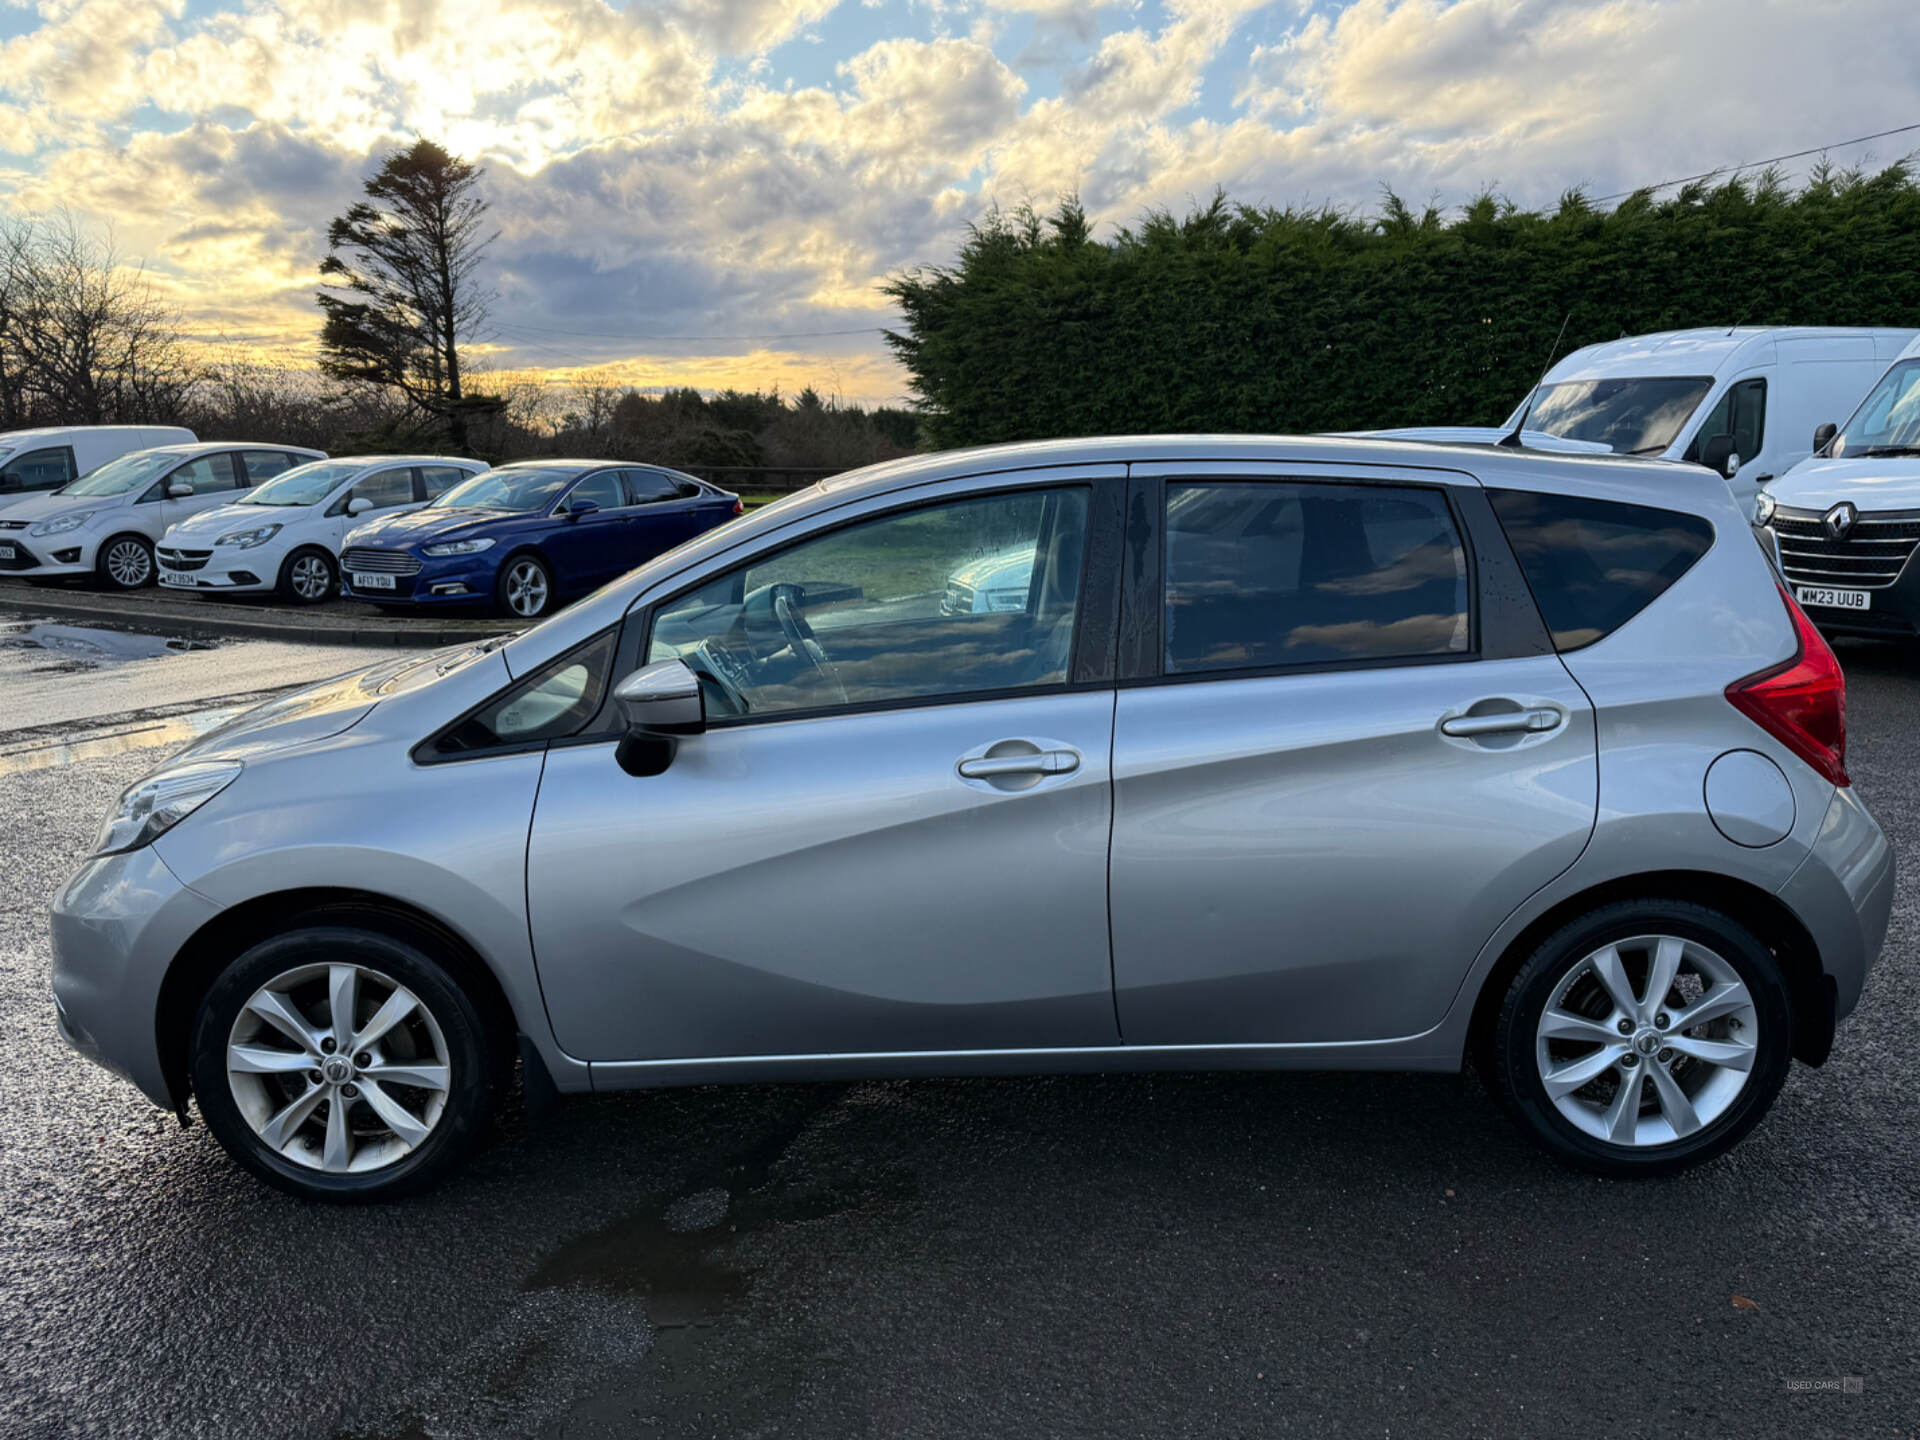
(1810, 988)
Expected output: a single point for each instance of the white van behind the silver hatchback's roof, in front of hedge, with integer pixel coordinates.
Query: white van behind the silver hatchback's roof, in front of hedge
(1742, 402)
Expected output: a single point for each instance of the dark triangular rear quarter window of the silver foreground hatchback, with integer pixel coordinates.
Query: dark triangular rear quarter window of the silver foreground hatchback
(1596, 564)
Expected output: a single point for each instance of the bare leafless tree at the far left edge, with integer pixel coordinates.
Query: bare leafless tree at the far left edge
(84, 339)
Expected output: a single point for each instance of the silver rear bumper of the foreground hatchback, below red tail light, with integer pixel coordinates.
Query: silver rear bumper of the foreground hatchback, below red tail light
(1844, 894)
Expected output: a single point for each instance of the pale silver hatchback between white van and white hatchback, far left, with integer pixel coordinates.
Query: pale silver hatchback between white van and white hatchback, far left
(108, 521)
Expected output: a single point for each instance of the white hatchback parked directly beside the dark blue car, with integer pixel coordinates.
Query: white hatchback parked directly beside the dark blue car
(287, 535)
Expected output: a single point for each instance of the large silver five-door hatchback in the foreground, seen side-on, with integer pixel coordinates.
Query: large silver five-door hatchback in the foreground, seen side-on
(1141, 754)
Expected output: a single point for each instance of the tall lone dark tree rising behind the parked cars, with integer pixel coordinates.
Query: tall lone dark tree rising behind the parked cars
(402, 283)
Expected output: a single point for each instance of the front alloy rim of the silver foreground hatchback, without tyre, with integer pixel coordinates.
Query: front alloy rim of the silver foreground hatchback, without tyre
(339, 1068)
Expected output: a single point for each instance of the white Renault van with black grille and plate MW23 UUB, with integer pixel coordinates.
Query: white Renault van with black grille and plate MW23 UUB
(1846, 521)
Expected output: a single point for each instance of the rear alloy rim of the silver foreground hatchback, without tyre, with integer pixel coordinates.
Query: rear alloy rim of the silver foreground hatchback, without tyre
(1646, 1042)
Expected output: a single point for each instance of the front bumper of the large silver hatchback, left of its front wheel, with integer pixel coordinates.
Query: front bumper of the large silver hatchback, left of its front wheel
(116, 928)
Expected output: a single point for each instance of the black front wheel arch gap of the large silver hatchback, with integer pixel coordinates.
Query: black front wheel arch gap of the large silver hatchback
(233, 932)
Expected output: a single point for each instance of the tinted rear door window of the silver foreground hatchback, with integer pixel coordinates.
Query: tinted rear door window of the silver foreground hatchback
(1270, 575)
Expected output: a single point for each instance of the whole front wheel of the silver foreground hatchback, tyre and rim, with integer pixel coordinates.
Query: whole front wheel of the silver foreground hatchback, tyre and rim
(322, 1118)
